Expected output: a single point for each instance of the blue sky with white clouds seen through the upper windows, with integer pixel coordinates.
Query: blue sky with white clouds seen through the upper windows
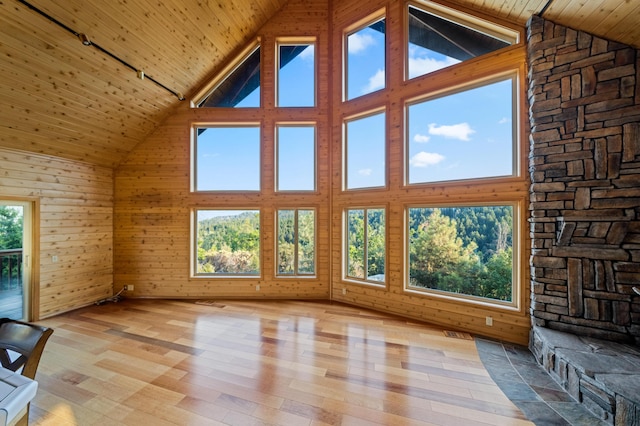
(463, 135)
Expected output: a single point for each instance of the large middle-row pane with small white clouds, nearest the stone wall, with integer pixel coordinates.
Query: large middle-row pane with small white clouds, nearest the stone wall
(466, 135)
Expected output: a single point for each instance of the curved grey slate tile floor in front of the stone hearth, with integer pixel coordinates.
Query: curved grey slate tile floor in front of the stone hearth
(530, 387)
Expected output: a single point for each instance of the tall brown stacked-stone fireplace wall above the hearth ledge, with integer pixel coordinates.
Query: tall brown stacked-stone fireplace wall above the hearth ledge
(584, 97)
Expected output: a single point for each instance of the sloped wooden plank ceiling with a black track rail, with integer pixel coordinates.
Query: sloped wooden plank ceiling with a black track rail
(61, 98)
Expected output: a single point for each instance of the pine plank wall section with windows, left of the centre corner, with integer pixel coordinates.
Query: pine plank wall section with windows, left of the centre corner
(153, 202)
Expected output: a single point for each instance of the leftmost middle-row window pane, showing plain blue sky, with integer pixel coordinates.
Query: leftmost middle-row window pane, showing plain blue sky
(228, 159)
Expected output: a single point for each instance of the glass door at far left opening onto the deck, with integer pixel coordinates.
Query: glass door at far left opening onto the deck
(15, 259)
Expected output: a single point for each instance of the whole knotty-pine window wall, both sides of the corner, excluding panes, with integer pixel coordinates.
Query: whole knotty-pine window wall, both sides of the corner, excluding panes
(153, 202)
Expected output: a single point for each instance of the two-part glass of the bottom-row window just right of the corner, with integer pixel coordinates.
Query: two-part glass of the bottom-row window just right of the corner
(366, 244)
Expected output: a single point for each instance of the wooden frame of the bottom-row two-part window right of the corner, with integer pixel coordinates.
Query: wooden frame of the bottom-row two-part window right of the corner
(345, 246)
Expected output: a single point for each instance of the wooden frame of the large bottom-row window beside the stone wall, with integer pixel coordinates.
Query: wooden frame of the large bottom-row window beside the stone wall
(517, 260)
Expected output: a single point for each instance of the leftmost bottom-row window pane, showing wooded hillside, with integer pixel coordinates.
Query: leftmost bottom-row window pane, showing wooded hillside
(228, 242)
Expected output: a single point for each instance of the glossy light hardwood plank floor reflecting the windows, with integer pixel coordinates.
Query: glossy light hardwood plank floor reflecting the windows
(159, 362)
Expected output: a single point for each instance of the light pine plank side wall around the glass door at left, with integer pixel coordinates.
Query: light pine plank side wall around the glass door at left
(74, 204)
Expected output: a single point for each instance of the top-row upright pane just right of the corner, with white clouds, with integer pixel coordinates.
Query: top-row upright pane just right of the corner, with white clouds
(366, 60)
